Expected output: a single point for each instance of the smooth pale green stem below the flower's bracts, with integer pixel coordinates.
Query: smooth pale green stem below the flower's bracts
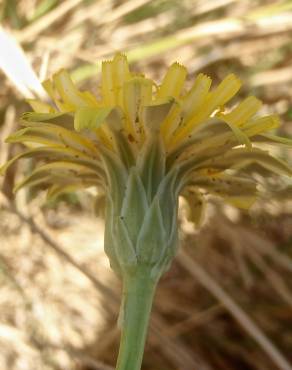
(138, 293)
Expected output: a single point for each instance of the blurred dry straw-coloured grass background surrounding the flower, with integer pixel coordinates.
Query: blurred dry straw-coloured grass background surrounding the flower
(226, 303)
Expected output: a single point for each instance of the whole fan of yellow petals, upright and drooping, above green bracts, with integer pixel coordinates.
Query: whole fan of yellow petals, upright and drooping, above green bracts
(159, 131)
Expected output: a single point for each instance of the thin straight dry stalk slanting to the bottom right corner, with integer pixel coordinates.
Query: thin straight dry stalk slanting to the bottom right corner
(236, 311)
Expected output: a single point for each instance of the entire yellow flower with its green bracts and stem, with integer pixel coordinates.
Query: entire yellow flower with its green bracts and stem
(143, 145)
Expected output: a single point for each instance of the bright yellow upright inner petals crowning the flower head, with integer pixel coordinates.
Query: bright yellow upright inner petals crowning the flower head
(168, 110)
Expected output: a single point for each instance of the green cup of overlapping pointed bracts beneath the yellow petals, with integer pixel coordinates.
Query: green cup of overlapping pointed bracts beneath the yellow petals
(141, 217)
